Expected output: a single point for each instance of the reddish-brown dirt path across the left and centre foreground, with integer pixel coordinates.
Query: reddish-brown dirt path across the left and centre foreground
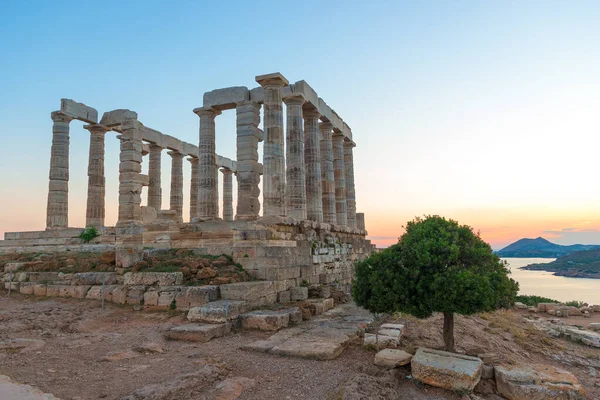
(77, 335)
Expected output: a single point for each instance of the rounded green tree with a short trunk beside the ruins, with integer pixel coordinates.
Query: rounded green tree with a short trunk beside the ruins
(437, 266)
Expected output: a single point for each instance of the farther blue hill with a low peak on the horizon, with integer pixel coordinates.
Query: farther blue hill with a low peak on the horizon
(542, 248)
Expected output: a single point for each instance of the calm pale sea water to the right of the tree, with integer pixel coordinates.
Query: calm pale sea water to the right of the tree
(543, 283)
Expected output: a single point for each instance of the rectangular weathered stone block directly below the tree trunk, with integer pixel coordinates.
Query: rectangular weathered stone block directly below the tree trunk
(446, 370)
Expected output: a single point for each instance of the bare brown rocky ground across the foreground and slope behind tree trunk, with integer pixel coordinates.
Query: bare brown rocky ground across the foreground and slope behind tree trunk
(75, 350)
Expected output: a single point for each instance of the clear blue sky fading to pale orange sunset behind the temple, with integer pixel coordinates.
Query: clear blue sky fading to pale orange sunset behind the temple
(484, 112)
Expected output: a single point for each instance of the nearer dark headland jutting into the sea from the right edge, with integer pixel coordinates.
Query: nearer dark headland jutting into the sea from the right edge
(581, 264)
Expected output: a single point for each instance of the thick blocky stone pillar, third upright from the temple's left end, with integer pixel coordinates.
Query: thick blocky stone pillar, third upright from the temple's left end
(130, 177)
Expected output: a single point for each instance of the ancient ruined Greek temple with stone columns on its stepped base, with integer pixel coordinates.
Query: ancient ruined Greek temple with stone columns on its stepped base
(309, 230)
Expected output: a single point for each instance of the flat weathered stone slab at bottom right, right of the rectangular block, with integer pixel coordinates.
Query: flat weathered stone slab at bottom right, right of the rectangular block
(537, 382)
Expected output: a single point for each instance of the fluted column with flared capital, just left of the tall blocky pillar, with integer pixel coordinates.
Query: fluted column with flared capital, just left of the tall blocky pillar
(207, 165)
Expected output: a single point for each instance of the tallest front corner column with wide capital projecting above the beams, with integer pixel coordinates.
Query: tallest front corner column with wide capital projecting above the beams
(273, 157)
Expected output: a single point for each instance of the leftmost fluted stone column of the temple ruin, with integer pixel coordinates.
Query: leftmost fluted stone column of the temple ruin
(57, 211)
